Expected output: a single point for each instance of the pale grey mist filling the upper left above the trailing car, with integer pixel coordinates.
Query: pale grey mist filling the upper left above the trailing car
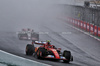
(18, 14)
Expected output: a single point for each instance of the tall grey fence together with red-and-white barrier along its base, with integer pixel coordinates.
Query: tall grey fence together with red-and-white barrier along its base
(85, 18)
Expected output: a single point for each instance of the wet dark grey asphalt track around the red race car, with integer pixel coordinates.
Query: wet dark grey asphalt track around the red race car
(10, 43)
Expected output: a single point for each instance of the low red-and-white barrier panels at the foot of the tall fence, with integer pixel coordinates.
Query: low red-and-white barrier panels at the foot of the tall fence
(86, 26)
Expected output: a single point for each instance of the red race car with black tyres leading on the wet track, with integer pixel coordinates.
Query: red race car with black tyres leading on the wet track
(46, 50)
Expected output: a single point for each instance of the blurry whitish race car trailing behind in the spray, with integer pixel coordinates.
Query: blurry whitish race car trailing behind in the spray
(27, 34)
